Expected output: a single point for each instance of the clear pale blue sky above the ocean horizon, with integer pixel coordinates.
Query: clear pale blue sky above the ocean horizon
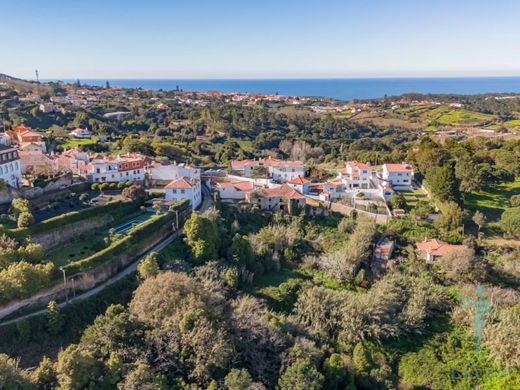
(259, 38)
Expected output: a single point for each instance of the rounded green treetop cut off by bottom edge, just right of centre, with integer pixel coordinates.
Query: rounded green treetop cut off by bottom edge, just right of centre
(301, 375)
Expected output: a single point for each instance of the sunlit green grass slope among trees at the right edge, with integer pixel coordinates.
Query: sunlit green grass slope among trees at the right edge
(493, 201)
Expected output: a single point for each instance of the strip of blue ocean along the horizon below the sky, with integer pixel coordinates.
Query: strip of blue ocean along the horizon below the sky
(343, 89)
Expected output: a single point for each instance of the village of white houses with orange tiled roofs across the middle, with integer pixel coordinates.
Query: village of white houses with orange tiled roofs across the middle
(269, 184)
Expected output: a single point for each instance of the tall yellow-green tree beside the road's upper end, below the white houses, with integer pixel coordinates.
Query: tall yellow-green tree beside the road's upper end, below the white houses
(202, 236)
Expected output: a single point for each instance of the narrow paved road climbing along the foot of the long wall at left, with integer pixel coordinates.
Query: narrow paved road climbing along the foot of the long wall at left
(207, 202)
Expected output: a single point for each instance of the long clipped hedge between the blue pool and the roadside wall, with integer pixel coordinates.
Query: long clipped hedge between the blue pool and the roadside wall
(133, 236)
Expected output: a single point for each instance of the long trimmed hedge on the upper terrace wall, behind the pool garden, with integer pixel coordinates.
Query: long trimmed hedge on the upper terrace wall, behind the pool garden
(117, 209)
